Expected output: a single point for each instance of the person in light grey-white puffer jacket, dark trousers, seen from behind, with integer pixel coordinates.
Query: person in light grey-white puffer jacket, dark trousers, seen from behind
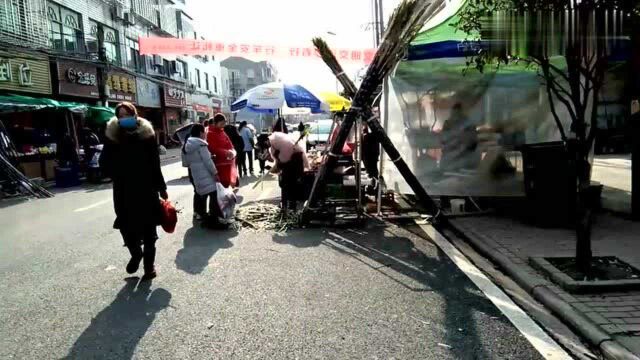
(202, 174)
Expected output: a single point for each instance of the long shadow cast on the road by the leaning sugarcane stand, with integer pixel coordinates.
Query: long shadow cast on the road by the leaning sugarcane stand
(464, 304)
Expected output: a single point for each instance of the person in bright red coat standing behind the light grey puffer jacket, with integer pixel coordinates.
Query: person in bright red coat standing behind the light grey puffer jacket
(222, 150)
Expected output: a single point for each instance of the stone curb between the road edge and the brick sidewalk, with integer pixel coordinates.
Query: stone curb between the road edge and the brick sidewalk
(539, 289)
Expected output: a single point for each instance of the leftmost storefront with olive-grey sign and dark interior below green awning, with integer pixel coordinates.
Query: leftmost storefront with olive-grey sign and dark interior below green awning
(35, 133)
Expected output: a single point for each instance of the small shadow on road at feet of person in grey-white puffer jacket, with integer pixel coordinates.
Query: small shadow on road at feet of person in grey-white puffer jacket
(200, 244)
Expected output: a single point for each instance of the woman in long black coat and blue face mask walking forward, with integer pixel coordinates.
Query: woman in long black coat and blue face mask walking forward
(130, 158)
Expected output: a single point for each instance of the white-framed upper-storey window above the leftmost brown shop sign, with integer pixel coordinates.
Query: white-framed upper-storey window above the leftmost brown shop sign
(65, 29)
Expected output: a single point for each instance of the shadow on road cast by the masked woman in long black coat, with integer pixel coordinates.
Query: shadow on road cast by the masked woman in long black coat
(115, 332)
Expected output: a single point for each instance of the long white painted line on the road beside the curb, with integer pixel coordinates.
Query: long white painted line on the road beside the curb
(545, 345)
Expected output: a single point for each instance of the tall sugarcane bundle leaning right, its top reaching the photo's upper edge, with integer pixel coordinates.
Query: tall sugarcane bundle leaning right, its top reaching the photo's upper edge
(405, 23)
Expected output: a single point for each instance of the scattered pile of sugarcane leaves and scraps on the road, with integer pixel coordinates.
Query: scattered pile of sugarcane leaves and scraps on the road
(266, 217)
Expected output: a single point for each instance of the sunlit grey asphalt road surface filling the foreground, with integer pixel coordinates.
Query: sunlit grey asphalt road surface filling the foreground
(378, 292)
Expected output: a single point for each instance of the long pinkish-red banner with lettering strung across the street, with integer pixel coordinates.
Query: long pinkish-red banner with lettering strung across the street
(169, 46)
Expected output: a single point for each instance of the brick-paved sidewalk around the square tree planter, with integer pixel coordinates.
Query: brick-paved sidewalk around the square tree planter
(617, 313)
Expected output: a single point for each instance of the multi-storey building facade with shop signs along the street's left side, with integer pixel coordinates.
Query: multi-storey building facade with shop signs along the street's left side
(67, 34)
